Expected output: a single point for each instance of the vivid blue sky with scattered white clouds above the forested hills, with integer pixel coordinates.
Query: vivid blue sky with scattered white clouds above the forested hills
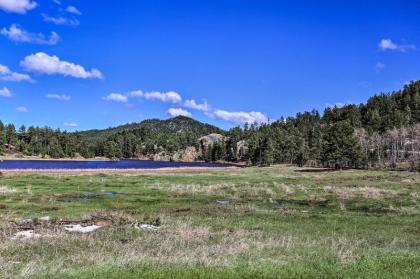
(74, 64)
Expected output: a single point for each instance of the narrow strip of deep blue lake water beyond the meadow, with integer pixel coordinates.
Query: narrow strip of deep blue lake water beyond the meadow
(123, 164)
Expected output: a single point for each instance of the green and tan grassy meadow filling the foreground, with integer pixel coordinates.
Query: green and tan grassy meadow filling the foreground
(278, 222)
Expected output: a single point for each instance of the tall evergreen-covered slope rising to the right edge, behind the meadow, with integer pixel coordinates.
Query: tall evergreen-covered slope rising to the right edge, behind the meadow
(384, 132)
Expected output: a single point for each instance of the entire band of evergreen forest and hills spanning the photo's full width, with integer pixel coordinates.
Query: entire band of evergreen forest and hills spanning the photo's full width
(382, 133)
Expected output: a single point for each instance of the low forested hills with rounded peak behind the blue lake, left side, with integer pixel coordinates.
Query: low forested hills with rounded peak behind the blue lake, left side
(127, 141)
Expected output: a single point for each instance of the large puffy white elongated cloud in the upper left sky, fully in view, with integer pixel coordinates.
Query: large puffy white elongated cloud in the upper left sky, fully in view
(43, 63)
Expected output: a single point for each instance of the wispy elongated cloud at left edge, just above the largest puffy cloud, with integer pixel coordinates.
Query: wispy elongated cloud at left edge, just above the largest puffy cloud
(16, 34)
